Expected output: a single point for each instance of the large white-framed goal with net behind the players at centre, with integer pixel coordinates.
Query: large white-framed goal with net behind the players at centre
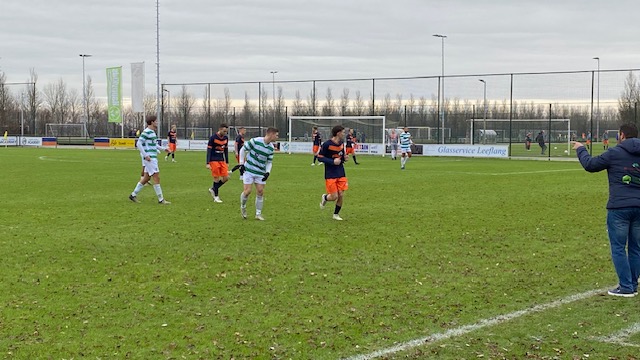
(369, 130)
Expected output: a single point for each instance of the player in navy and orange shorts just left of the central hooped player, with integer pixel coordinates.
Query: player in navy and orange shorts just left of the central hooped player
(218, 160)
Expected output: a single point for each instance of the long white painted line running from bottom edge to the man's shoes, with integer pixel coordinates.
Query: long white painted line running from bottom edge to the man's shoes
(462, 330)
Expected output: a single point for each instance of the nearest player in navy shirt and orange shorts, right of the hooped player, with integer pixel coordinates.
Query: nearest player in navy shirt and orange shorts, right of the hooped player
(333, 156)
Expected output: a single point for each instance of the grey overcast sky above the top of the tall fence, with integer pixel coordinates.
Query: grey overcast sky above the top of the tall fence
(243, 40)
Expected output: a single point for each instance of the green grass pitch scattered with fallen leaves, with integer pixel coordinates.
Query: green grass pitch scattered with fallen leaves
(446, 243)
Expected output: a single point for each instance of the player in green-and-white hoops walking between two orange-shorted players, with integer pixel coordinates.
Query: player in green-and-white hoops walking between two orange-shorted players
(256, 158)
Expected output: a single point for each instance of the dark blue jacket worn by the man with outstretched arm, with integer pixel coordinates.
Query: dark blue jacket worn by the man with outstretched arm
(622, 163)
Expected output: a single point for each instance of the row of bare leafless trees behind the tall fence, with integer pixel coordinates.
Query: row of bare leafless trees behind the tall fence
(59, 104)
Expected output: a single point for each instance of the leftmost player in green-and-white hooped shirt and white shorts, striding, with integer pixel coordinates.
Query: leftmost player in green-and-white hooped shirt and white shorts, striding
(149, 148)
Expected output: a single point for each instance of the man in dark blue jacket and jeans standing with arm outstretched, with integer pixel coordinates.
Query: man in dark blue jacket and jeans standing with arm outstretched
(622, 163)
